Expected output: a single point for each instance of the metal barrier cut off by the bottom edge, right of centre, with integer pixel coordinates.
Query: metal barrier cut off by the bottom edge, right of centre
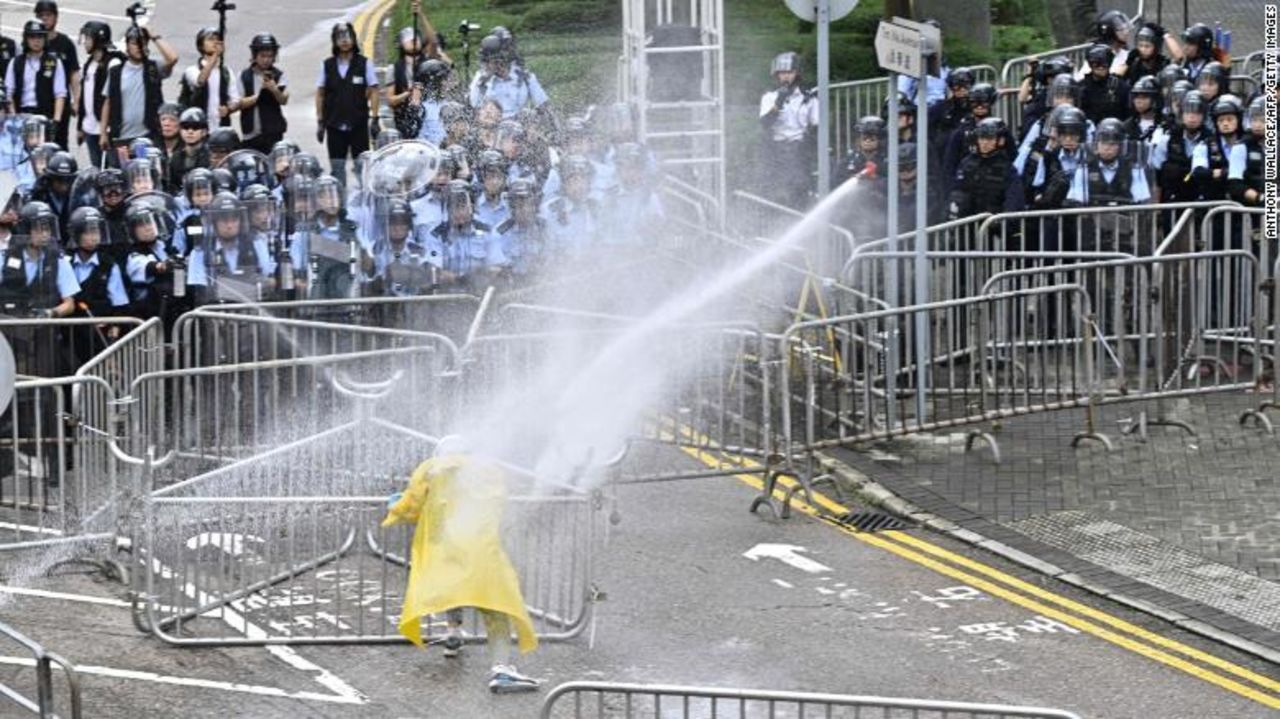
(605, 700)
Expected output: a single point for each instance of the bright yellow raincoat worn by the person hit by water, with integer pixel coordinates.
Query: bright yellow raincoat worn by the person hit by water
(458, 561)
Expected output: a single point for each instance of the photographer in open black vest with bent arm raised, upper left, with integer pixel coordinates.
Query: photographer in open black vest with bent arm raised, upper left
(134, 93)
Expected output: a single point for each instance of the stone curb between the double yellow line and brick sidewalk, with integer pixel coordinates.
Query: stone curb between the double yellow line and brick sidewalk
(871, 492)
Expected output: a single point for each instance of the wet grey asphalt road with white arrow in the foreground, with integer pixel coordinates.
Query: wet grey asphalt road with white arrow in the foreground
(817, 610)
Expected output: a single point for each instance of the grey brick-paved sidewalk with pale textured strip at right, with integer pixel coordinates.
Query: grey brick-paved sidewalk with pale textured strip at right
(1186, 525)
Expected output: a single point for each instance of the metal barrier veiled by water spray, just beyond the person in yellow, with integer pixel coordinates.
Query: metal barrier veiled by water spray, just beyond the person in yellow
(712, 387)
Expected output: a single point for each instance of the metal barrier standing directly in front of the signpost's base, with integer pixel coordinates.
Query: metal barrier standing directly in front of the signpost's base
(857, 378)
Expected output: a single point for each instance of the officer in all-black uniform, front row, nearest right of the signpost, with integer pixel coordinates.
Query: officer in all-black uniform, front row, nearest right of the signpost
(986, 181)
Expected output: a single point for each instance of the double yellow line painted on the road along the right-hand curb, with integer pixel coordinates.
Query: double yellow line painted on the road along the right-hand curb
(1126, 635)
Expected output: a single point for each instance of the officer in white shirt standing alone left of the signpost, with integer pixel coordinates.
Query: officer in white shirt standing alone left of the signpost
(789, 116)
